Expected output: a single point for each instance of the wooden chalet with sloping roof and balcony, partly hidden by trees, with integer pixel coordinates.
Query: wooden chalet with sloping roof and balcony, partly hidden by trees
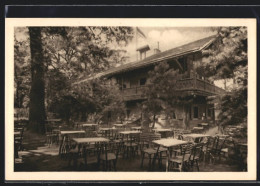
(133, 77)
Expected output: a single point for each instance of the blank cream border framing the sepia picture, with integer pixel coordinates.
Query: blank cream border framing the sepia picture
(10, 23)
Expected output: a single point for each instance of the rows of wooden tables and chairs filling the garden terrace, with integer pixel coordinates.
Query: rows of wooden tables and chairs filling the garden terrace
(130, 142)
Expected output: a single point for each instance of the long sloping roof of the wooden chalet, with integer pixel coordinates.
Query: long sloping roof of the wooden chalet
(168, 54)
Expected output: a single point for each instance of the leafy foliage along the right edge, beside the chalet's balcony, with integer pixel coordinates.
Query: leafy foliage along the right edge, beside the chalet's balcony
(227, 58)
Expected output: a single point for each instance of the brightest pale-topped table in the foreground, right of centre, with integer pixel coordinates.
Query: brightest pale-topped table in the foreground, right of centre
(168, 142)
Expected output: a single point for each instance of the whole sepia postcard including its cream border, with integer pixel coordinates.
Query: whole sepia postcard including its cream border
(131, 99)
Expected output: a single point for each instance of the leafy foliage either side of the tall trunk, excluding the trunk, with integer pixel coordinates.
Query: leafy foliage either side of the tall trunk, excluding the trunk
(69, 54)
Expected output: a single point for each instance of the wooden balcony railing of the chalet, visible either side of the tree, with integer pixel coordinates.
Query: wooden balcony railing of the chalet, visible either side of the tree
(195, 86)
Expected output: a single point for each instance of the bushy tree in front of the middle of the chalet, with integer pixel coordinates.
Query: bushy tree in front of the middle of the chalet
(162, 92)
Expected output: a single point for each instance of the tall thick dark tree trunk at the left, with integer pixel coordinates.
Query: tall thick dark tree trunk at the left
(37, 113)
